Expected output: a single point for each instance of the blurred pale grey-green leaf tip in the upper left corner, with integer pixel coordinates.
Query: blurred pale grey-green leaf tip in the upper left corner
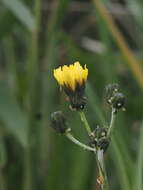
(21, 11)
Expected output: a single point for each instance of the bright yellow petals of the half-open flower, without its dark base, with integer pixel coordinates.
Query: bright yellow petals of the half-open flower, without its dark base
(71, 75)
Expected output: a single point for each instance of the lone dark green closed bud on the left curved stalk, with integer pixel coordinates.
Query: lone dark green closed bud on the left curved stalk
(58, 122)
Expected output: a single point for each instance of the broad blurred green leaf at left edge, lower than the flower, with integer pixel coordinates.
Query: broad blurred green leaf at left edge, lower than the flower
(11, 114)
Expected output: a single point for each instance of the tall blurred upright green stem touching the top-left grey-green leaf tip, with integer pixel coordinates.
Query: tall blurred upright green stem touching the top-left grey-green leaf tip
(33, 100)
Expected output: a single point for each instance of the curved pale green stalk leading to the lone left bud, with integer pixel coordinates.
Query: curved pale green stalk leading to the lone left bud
(75, 141)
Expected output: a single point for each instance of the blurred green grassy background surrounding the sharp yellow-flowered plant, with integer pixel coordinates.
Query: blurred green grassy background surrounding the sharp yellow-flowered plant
(39, 35)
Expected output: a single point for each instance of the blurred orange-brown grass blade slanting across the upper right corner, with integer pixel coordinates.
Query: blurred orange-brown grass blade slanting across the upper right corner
(133, 63)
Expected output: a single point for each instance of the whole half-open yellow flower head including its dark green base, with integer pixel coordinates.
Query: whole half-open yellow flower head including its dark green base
(72, 78)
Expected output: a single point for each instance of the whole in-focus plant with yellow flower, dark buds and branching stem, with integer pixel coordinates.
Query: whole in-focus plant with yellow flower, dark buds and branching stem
(72, 80)
